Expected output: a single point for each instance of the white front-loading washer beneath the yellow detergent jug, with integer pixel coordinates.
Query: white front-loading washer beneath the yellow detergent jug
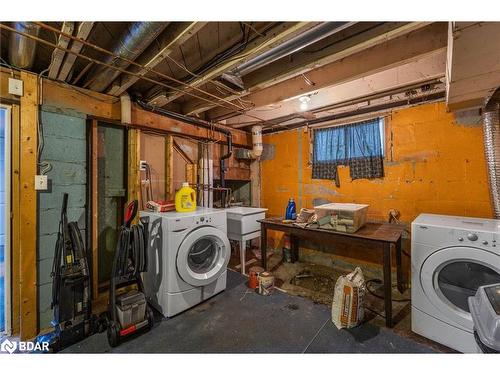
(188, 255)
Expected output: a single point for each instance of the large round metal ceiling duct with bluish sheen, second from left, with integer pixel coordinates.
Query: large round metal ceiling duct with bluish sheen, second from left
(136, 39)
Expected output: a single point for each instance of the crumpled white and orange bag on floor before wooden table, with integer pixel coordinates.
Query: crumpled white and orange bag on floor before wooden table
(347, 305)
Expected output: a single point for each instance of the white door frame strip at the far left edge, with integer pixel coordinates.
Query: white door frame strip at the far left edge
(8, 217)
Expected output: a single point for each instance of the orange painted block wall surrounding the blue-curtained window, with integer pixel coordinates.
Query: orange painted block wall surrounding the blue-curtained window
(437, 166)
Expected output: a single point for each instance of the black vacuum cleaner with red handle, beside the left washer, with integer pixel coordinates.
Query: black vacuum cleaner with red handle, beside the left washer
(128, 312)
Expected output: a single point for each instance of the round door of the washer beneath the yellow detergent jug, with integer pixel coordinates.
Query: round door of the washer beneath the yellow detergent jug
(203, 256)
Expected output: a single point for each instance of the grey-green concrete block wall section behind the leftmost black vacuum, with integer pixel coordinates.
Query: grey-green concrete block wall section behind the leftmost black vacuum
(66, 149)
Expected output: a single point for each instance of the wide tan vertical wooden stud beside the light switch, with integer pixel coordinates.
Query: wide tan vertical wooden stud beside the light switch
(28, 203)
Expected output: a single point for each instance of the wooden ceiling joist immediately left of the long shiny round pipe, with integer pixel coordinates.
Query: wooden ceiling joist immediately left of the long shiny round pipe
(274, 37)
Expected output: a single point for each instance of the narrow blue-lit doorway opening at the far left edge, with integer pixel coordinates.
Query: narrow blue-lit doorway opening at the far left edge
(5, 120)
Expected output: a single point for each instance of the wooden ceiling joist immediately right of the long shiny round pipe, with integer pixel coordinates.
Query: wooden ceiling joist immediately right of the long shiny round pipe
(350, 41)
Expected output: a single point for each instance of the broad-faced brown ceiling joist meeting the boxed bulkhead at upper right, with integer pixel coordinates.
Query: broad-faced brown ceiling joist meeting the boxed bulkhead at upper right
(377, 58)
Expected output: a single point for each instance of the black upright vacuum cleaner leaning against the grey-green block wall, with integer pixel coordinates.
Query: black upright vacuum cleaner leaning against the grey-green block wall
(71, 294)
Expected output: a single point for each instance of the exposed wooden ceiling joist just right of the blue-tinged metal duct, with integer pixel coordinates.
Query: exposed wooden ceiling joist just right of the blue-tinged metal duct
(154, 56)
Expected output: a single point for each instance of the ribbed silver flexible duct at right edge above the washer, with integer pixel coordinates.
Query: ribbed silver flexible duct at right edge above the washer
(491, 133)
